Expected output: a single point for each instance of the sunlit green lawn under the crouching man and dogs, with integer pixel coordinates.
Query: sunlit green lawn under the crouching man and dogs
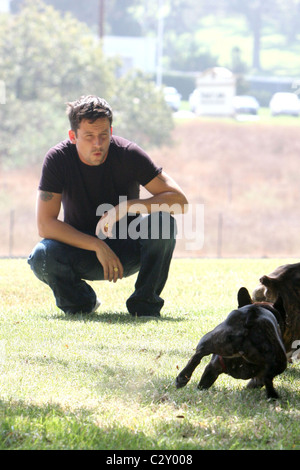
(107, 381)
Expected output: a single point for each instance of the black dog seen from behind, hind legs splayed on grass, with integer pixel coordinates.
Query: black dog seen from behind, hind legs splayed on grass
(247, 345)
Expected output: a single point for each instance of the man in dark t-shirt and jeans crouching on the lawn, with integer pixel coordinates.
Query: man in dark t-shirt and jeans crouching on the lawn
(96, 177)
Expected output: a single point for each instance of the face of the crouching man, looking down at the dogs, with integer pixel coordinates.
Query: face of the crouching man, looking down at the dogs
(92, 141)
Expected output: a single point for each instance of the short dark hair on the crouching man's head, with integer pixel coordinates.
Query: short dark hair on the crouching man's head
(88, 107)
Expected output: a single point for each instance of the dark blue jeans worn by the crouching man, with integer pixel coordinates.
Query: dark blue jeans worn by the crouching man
(65, 268)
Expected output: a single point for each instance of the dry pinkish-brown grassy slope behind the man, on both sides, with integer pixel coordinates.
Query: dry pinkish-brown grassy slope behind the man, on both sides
(245, 174)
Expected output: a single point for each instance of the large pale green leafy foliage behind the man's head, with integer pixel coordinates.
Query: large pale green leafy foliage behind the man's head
(49, 58)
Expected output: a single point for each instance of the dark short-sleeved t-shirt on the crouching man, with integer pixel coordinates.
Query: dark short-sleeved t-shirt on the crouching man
(85, 187)
